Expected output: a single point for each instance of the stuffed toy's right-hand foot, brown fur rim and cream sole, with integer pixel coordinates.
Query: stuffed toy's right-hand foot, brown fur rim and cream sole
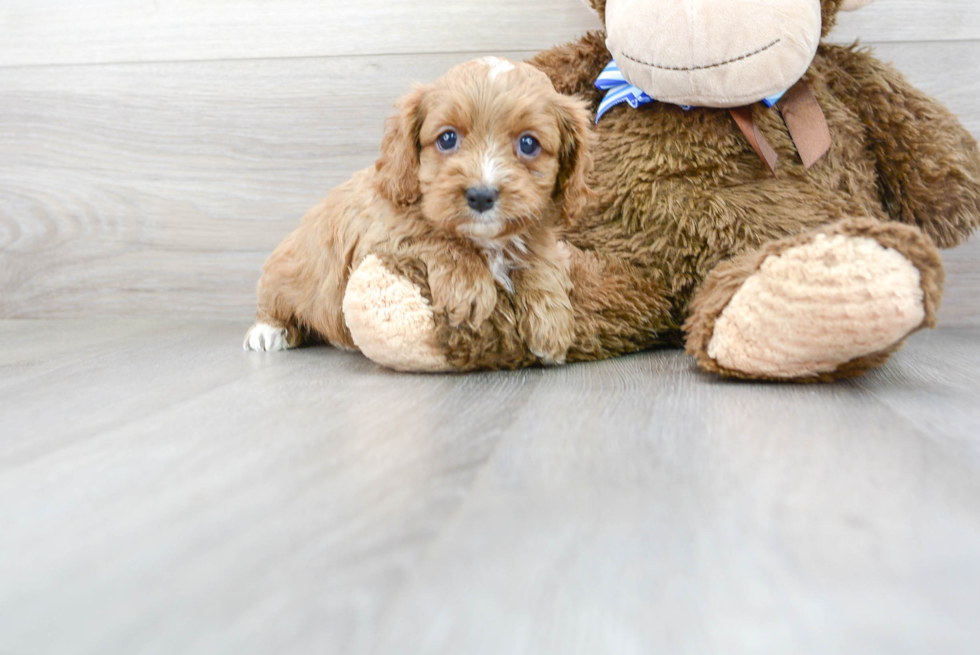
(824, 305)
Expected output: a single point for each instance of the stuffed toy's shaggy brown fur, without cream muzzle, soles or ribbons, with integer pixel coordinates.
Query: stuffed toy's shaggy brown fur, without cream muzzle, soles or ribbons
(685, 211)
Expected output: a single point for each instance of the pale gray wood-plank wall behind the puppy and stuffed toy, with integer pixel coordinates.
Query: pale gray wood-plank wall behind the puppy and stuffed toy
(153, 153)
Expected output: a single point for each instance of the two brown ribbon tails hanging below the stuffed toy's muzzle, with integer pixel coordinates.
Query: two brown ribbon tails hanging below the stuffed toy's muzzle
(804, 119)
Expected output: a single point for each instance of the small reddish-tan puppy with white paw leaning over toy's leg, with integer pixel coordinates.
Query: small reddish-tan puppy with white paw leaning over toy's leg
(477, 173)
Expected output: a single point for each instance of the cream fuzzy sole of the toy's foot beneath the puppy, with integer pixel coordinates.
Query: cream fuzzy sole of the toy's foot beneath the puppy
(390, 321)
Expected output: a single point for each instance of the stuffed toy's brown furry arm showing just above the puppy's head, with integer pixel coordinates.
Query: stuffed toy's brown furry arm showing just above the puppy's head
(574, 67)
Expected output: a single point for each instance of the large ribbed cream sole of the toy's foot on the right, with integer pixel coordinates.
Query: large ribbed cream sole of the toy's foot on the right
(817, 306)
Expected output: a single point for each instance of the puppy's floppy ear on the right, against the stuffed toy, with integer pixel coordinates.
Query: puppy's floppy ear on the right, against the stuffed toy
(574, 155)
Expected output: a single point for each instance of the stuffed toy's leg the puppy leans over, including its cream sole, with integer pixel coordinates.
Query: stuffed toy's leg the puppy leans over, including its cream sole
(617, 309)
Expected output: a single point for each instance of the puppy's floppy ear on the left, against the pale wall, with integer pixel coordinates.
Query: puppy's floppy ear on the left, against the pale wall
(398, 166)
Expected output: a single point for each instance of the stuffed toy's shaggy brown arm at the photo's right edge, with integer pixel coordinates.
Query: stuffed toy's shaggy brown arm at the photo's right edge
(928, 164)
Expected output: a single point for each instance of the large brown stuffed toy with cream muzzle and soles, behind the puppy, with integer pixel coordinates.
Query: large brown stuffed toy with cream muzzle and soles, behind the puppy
(771, 202)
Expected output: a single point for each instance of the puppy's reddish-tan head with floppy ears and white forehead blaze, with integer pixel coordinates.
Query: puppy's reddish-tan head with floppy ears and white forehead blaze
(488, 149)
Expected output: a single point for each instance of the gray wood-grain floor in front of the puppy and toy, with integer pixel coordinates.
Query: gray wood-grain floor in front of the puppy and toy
(162, 491)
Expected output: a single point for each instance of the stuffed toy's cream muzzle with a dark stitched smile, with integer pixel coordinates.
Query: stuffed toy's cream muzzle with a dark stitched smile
(713, 53)
